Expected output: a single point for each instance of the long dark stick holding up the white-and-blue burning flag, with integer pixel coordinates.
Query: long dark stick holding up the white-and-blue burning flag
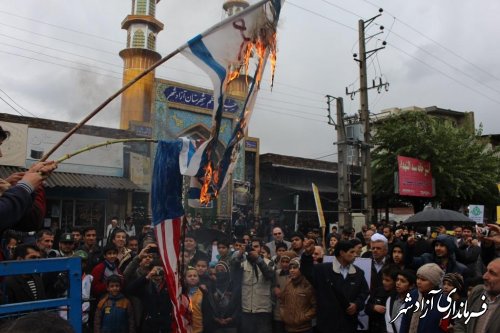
(150, 69)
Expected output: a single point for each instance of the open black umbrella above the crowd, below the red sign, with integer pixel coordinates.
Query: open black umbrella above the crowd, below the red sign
(437, 217)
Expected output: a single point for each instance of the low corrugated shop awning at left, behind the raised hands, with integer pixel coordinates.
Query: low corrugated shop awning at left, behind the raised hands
(79, 180)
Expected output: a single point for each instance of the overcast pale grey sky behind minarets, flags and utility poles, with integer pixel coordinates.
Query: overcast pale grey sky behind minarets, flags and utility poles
(59, 60)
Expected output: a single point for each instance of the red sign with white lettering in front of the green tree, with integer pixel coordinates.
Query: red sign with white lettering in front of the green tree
(415, 177)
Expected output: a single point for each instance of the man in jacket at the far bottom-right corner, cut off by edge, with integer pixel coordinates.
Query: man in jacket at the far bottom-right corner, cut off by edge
(489, 294)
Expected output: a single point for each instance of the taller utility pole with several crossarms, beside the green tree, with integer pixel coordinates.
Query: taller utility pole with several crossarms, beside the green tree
(364, 113)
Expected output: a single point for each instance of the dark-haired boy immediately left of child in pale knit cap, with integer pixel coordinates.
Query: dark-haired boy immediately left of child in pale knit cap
(405, 282)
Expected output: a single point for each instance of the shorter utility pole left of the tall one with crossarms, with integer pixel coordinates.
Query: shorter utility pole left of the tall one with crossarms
(343, 184)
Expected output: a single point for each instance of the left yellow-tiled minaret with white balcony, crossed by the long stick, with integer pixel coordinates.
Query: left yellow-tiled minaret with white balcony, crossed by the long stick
(142, 28)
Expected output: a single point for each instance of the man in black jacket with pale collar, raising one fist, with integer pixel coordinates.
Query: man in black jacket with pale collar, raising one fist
(341, 288)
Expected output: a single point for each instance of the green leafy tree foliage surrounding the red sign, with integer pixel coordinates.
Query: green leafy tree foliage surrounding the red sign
(464, 166)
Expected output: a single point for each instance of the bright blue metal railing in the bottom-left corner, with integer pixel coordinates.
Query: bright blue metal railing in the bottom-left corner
(74, 299)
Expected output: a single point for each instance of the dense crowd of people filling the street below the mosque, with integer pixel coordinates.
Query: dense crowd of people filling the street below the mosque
(261, 278)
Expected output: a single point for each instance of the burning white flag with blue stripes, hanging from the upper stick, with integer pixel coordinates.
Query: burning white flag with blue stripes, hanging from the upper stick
(223, 54)
